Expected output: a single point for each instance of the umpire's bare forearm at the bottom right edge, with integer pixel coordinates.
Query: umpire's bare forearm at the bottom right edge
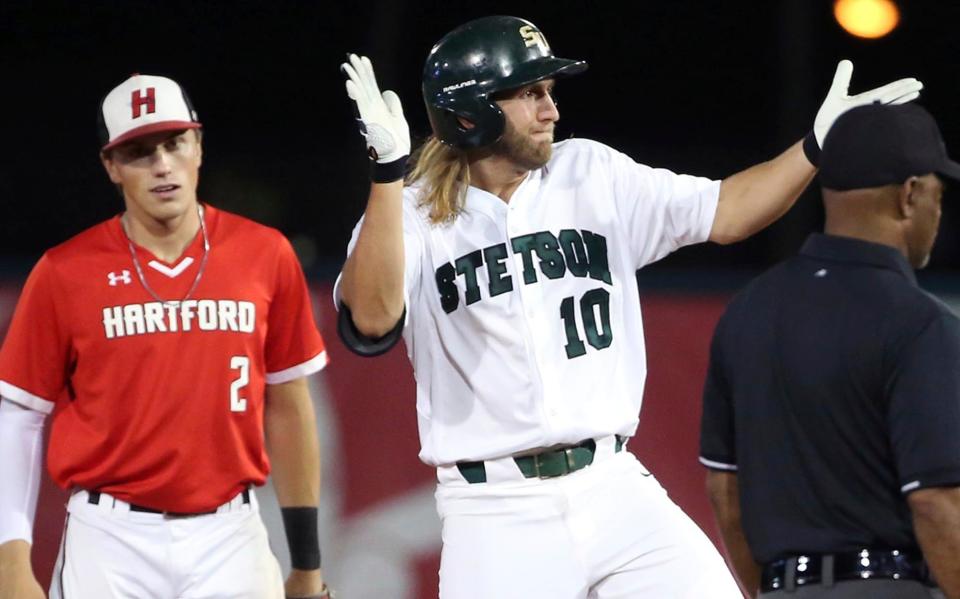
(936, 520)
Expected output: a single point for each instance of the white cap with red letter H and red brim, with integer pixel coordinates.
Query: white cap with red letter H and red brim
(141, 105)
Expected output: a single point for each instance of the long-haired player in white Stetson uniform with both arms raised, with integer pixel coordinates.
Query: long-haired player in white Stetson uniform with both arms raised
(507, 264)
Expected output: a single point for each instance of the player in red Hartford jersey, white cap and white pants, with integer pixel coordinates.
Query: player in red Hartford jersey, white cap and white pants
(171, 344)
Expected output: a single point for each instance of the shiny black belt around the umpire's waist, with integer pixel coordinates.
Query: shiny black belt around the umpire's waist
(865, 564)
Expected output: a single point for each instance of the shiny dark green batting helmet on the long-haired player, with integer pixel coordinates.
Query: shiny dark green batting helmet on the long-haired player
(477, 59)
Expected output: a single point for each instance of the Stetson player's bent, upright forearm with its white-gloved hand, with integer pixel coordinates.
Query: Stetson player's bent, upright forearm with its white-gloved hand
(372, 280)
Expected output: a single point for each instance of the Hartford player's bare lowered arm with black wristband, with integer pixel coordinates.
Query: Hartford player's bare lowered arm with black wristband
(290, 429)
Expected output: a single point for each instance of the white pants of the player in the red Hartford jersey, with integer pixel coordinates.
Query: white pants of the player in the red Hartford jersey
(110, 552)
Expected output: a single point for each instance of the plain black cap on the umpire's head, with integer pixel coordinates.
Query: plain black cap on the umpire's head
(880, 144)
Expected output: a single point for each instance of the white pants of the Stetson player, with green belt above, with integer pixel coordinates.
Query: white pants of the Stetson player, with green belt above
(608, 531)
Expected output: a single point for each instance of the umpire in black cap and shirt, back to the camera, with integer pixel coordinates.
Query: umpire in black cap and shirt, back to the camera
(831, 416)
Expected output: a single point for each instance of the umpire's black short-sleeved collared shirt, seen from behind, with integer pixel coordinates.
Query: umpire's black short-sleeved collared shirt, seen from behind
(833, 391)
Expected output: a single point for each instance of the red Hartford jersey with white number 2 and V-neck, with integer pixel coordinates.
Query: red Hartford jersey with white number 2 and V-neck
(159, 402)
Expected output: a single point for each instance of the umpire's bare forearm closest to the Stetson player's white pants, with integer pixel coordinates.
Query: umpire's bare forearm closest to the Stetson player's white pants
(724, 493)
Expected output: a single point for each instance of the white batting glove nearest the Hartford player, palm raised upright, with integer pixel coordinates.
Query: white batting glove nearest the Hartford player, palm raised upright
(380, 116)
